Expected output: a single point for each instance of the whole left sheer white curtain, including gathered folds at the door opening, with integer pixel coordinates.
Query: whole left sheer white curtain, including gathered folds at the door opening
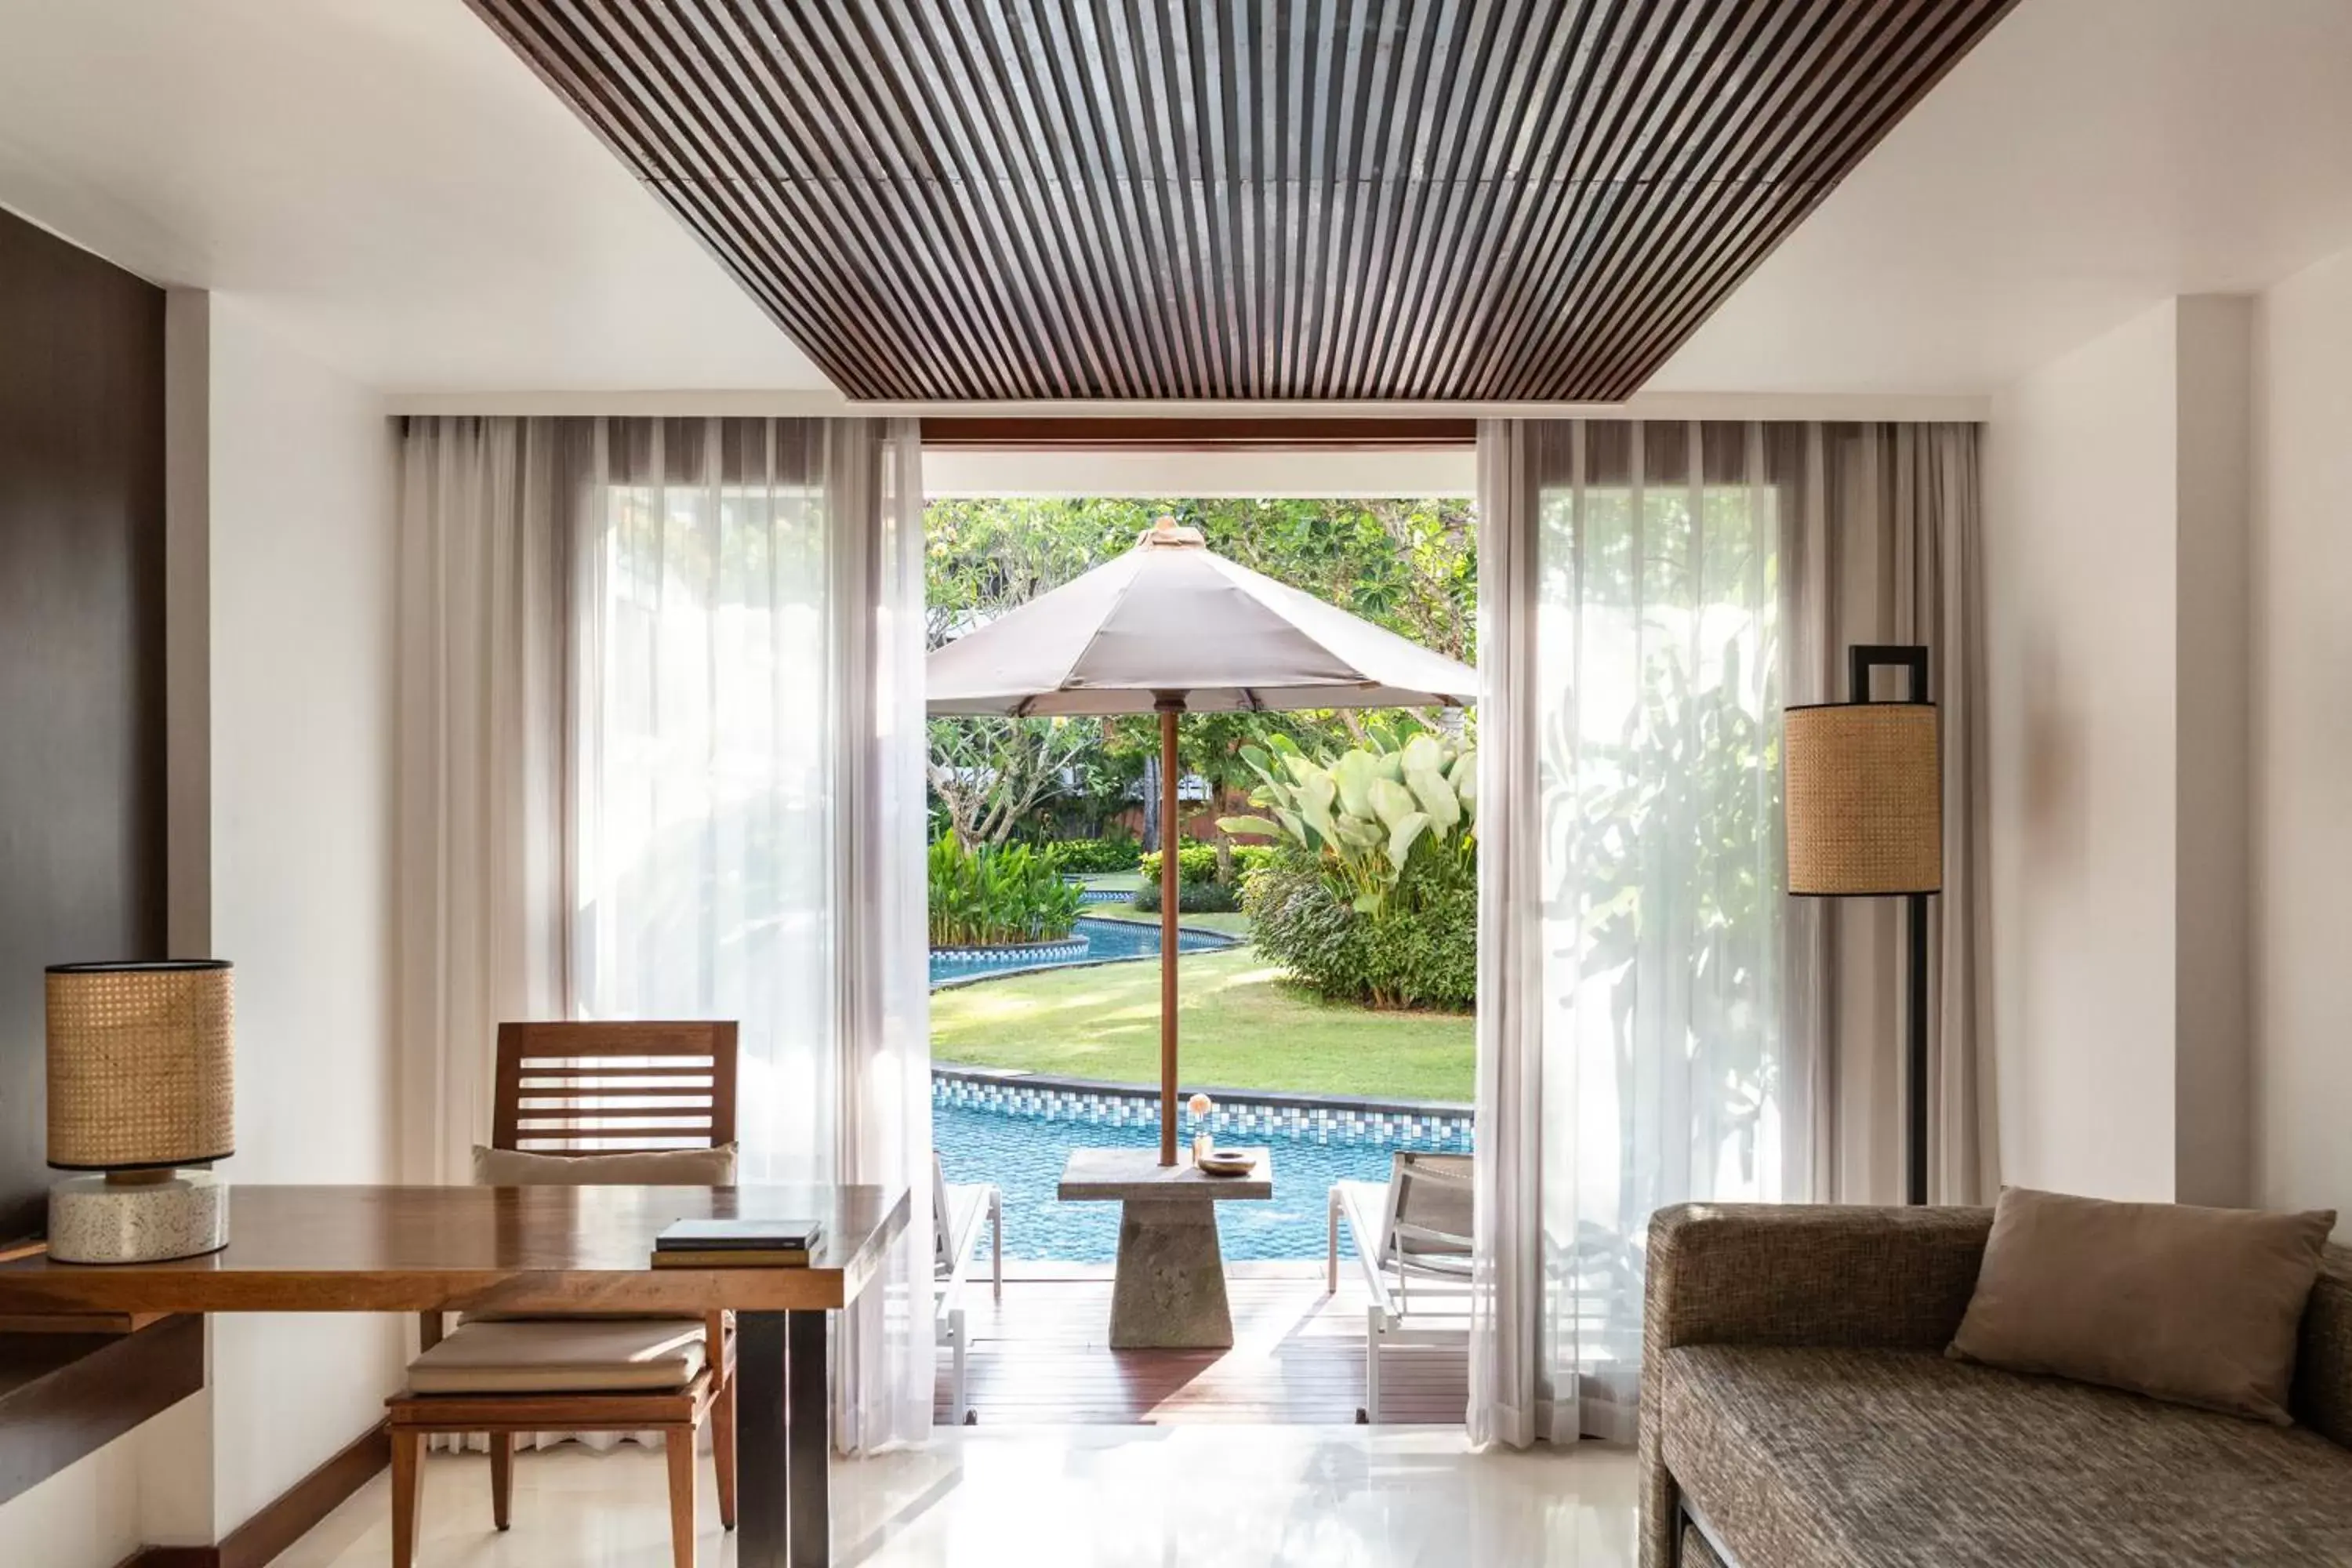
(749, 815)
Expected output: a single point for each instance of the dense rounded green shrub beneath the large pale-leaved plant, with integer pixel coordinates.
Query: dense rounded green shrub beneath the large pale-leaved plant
(1419, 956)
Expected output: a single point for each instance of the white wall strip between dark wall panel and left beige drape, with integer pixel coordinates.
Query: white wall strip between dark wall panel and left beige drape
(302, 763)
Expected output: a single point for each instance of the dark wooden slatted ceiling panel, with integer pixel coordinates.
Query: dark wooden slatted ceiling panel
(1017, 201)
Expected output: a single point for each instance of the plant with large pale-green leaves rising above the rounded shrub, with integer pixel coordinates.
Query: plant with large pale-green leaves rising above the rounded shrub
(1363, 815)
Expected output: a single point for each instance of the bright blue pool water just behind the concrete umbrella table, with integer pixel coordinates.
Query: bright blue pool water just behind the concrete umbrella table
(1024, 1158)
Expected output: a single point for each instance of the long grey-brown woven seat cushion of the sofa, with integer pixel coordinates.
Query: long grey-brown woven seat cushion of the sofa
(1812, 1459)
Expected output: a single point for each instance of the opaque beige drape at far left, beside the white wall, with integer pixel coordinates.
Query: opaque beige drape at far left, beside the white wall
(483, 793)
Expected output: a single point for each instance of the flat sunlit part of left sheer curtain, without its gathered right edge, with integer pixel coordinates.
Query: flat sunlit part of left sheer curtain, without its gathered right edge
(702, 880)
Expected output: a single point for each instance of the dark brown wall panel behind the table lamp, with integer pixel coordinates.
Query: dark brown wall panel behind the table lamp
(81, 652)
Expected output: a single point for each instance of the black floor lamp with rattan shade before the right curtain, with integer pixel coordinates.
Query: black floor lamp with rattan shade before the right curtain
(1866, 822)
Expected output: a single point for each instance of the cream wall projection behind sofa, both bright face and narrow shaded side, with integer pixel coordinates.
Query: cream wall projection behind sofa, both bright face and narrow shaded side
(2118, 610)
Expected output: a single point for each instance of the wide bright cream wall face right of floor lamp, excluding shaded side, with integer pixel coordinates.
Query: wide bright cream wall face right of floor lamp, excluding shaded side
(2080, 530)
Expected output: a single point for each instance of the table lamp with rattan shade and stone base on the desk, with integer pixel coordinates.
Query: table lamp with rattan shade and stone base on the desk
(140, 1092)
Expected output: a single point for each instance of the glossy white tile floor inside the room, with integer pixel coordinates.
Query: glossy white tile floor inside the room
(1050, 1496)
